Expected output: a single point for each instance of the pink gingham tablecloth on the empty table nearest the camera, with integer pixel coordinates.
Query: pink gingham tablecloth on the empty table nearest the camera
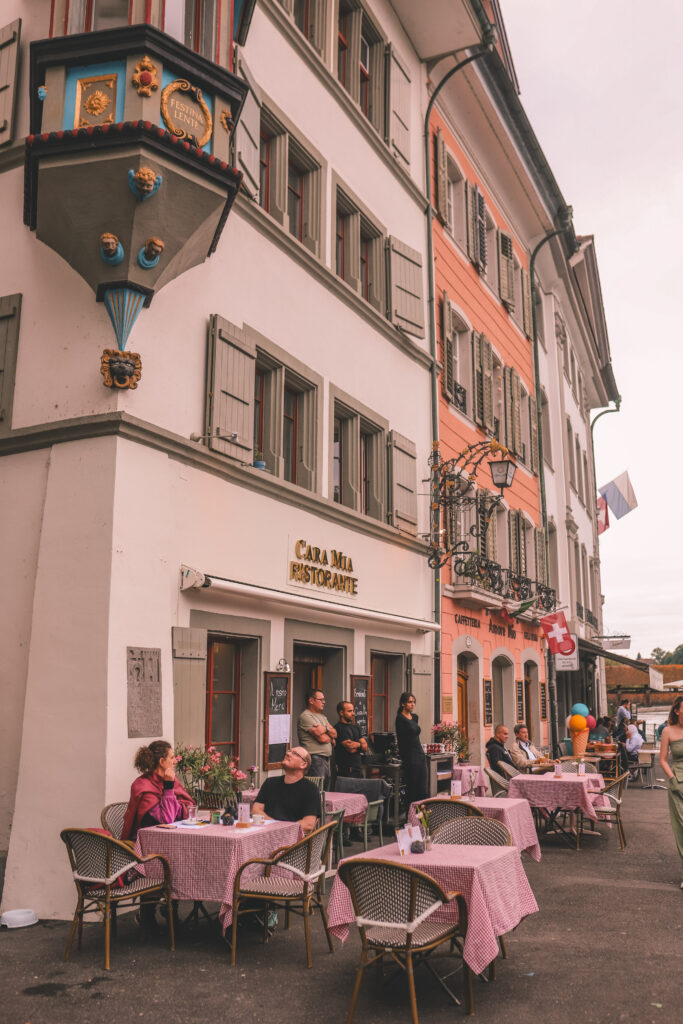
(491, 878)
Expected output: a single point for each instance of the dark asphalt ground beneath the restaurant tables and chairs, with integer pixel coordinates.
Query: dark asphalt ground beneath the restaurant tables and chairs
(607, 946)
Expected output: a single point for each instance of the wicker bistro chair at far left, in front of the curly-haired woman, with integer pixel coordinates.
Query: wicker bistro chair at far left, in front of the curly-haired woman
(102, 868)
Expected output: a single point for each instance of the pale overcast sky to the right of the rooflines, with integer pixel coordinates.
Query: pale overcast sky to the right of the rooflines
(603, 84)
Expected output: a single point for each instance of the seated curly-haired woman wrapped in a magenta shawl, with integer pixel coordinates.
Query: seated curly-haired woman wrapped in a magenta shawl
(157, 797)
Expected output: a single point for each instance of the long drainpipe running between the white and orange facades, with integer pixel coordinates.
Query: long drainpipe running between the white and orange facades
(482, 50)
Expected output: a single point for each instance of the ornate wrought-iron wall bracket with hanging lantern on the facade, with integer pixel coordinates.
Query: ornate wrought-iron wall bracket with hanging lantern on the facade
(453, 492)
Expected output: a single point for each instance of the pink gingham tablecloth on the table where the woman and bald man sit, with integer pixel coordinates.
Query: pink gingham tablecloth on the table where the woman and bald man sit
(204, 862)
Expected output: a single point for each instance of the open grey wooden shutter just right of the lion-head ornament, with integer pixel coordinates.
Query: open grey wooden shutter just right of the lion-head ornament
(231, 392)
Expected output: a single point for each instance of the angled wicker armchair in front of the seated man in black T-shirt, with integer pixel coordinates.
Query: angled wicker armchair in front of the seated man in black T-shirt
(307, 862)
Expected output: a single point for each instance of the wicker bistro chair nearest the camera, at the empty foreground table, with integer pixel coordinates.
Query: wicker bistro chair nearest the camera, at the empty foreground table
(394, 905)
